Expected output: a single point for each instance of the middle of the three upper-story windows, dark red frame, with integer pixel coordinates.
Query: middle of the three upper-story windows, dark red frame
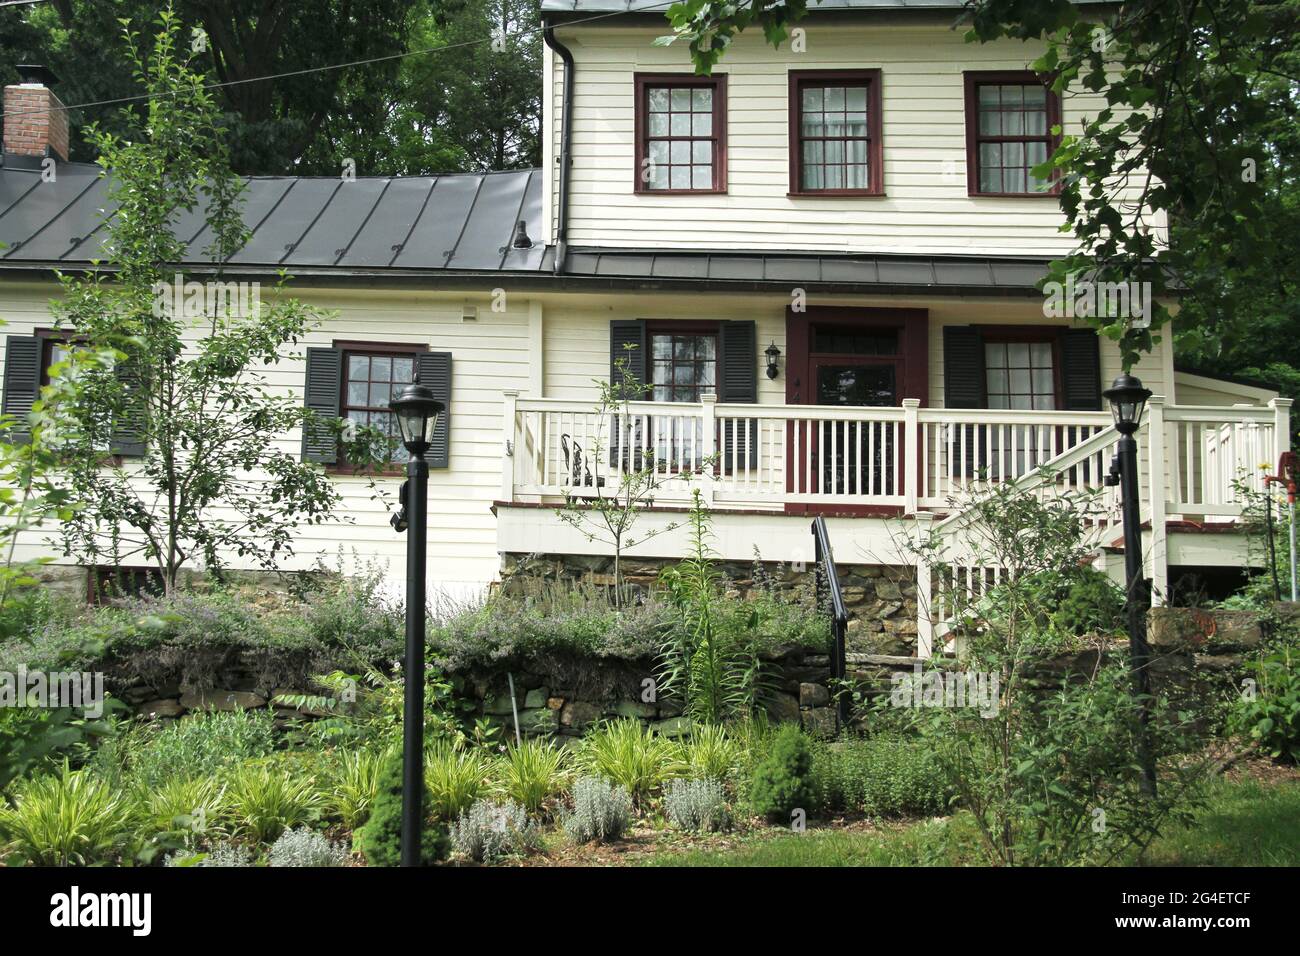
(835, 133)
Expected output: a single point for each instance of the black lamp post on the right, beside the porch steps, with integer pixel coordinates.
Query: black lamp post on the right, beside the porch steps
(1128, 399)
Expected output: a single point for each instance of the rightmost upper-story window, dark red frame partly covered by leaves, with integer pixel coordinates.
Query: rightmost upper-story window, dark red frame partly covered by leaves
(1009, 120)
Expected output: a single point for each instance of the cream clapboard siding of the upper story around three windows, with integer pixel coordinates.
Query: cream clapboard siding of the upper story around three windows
(926, 209)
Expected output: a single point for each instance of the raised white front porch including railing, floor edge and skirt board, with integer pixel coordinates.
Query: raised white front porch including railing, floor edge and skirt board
(881, 475)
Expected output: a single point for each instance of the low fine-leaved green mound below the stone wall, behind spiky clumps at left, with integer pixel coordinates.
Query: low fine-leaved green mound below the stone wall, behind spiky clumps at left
(203, 745)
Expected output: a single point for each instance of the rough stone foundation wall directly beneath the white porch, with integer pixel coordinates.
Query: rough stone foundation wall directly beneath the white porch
(882, 600)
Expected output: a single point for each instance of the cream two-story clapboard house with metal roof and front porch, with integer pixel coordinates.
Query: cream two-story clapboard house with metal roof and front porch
(821, 263)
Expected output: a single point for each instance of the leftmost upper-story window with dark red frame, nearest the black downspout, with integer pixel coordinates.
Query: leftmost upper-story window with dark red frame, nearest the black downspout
(682, 133)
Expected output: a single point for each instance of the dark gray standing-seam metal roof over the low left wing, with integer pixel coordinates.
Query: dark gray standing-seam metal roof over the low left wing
(456, 223)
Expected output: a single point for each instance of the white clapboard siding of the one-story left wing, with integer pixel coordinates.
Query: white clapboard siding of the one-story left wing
(489, 357)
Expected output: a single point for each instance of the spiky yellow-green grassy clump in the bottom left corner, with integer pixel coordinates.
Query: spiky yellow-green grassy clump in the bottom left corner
(68, 819)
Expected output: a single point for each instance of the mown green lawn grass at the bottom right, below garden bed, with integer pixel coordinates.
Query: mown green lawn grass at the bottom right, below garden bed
(1245, 824)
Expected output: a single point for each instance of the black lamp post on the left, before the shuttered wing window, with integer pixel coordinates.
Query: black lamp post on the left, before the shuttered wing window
(417, 412)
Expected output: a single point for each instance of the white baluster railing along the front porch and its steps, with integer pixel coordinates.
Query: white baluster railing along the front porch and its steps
(895, 461)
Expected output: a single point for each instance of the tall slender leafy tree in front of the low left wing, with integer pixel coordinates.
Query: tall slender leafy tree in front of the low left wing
(202, 473)
